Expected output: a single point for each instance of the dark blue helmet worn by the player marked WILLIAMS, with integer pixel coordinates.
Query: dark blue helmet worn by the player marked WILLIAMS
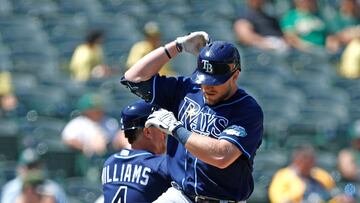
(135, 115)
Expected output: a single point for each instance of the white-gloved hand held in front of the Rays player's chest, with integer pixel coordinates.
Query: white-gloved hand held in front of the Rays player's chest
(164, 120)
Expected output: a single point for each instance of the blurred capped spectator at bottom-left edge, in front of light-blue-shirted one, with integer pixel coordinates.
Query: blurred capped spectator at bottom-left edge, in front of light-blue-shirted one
(34, 190)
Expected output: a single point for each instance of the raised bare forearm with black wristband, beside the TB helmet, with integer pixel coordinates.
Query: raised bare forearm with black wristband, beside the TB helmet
(151, 64)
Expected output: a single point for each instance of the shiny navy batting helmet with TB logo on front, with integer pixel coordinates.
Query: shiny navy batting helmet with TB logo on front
(213, 63)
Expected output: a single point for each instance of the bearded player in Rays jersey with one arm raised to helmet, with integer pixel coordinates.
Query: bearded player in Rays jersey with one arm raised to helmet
(217, 126)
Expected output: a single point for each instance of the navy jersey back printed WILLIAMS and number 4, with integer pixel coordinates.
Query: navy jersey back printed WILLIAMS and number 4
(134, 176)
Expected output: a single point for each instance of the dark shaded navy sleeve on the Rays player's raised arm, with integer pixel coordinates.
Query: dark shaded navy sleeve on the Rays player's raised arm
(169, 91)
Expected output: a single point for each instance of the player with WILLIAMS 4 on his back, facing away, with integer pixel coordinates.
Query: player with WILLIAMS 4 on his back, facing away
(138, 174)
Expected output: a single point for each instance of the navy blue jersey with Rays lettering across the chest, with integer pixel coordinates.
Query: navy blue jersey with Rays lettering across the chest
(238, 120)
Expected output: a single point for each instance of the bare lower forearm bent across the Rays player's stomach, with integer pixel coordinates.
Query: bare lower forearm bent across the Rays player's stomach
(219, 153)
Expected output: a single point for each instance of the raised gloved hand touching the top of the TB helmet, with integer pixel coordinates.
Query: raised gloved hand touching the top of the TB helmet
(193, 42)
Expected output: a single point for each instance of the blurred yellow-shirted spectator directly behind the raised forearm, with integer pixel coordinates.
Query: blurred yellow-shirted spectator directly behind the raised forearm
(151, 42)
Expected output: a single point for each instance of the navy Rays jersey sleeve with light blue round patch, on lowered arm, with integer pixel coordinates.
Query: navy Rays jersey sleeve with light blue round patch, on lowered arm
(247, 134)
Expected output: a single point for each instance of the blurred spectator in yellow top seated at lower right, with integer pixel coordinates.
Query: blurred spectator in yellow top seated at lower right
(302, 181)
